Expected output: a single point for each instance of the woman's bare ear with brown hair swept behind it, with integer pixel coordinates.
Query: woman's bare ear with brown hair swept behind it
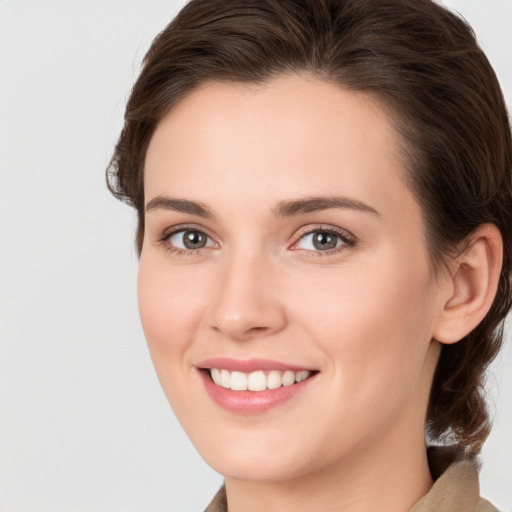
(471, 285)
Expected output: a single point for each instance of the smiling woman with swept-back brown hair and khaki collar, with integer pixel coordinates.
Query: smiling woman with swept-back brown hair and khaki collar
(324, 199)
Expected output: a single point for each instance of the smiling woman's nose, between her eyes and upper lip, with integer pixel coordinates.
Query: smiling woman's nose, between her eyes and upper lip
(247, 304)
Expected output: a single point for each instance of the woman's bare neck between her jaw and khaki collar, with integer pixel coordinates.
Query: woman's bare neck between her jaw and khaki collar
(376, 478)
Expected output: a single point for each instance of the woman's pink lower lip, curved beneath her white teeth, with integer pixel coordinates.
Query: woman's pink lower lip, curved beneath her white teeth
(251, 401)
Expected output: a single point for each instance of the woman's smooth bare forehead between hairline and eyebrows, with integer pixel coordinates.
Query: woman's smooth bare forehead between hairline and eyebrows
(290, 136)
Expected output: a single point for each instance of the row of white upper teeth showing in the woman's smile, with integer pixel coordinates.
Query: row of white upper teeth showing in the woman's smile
(258, 380)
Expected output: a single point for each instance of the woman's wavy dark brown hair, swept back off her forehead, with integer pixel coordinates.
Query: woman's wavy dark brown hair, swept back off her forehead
(424, 64)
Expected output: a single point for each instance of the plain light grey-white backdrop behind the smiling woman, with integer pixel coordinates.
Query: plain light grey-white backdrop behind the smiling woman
(84, 425)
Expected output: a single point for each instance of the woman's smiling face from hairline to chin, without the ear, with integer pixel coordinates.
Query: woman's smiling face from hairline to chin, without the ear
(282, 244)
